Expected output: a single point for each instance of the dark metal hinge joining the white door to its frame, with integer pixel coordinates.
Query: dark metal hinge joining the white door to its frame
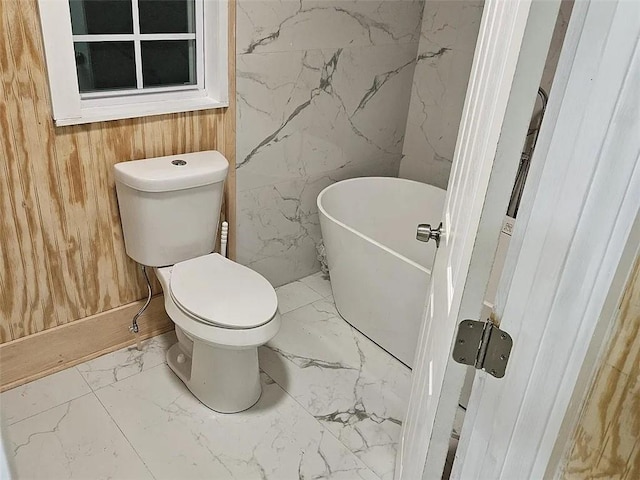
(483, 346)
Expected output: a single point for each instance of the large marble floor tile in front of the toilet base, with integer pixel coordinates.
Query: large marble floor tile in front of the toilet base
(178, 437)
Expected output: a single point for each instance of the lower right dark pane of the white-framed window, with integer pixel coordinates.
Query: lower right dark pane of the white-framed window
(168, 62)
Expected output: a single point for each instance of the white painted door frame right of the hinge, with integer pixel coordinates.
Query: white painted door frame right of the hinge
(568, 260)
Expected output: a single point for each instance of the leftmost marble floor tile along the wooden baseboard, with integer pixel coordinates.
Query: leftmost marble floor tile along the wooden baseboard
(40, 395)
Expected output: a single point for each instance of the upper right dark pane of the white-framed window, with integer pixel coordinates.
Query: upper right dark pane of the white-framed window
(166, 16)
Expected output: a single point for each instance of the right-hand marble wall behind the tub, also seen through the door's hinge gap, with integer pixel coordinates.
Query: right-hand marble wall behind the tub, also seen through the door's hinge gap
(447, 42)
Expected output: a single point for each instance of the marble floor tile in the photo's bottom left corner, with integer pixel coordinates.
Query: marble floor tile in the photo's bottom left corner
(76, 440)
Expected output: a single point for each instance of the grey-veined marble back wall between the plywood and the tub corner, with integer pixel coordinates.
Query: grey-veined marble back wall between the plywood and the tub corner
(323, 92)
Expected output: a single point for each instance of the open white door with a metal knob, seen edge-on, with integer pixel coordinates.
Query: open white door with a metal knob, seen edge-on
(510, 54)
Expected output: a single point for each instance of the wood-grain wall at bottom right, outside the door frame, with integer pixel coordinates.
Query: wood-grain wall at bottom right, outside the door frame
(607, 441)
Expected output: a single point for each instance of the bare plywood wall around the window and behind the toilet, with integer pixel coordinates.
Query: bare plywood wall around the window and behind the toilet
(62, 256)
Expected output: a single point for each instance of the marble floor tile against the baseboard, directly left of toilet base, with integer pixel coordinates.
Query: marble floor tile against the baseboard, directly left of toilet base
(126, 362)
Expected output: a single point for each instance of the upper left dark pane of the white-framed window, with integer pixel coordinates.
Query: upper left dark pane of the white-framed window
(101, 16)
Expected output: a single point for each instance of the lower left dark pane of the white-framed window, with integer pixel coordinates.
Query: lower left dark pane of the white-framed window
(105, 65)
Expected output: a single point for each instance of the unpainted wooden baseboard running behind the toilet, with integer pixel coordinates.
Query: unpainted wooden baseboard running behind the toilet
(35, 356)
